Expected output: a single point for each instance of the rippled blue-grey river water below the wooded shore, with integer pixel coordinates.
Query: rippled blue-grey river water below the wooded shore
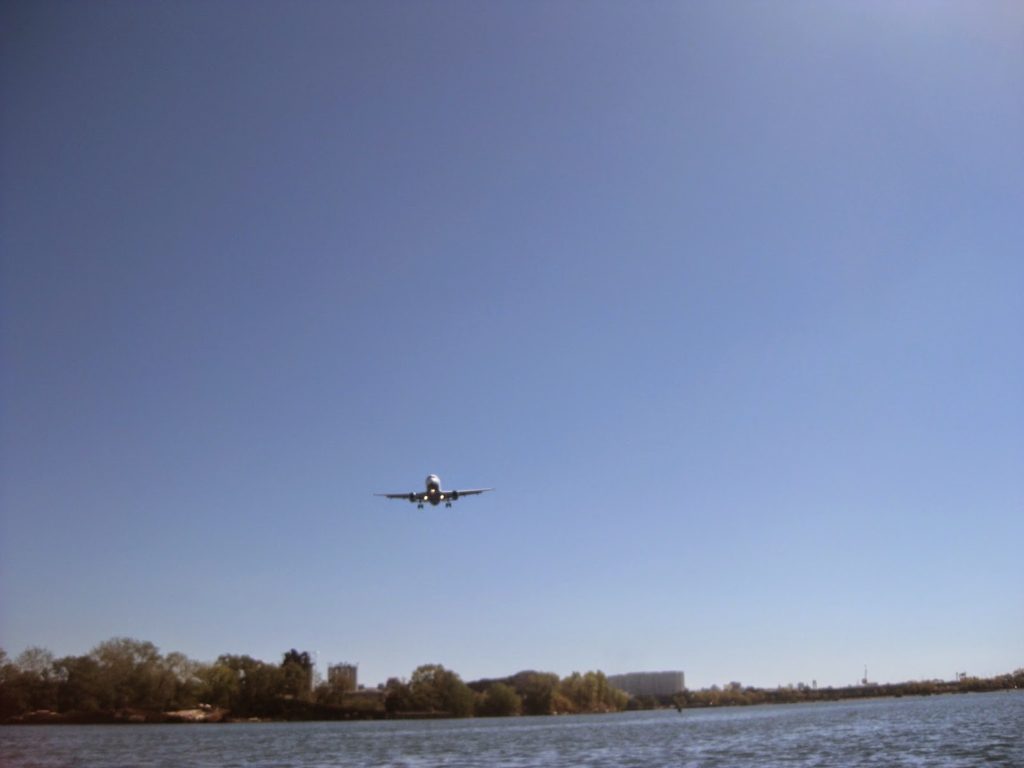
(952, 731)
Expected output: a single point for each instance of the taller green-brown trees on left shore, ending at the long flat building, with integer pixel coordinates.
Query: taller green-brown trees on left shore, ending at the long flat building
(127, 679)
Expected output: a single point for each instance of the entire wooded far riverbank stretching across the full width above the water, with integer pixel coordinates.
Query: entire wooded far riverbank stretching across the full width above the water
(125, 681)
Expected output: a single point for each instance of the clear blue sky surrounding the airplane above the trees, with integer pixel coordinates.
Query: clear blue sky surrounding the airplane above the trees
(727, 300)
